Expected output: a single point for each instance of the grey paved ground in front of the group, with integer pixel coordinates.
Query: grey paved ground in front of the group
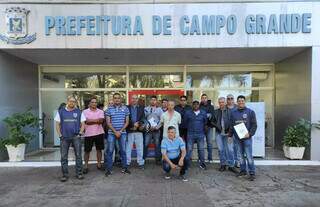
(275, 186)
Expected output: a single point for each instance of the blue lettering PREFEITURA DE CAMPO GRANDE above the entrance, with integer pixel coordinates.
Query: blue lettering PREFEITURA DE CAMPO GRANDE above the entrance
(188, 25)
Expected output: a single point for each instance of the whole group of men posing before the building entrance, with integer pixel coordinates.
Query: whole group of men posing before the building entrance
(174, 129)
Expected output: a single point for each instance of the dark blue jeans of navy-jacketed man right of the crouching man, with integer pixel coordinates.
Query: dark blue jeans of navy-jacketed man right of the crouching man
(192, 138)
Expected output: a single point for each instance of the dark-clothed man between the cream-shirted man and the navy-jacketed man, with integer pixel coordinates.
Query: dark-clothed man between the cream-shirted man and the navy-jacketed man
(182, 108)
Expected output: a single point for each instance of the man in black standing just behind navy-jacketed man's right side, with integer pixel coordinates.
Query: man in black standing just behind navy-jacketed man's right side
(209, 109)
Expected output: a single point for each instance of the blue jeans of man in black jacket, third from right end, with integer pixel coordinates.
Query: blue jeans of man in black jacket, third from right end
(225, 147)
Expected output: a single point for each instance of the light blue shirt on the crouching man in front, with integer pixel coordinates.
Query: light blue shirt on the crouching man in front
(172, 147)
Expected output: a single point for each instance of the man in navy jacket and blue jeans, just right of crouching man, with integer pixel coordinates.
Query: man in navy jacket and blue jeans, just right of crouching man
(196, 122)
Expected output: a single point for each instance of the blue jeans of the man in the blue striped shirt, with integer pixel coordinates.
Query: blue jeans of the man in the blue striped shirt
(108, 154)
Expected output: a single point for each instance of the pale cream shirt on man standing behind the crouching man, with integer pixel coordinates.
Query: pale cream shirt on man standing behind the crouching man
(167, 121)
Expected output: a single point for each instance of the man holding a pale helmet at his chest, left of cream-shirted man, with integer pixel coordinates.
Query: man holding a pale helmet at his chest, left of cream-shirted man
(153, 116)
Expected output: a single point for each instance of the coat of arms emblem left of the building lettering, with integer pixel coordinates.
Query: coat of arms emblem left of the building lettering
(17, 26)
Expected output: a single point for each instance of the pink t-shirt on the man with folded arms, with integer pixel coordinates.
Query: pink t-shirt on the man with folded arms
(95, 129)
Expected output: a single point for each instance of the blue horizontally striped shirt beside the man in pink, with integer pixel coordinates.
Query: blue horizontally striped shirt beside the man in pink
(117, 116)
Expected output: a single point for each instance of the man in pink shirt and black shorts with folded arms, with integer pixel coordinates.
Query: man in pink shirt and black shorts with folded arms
(94, 133)
